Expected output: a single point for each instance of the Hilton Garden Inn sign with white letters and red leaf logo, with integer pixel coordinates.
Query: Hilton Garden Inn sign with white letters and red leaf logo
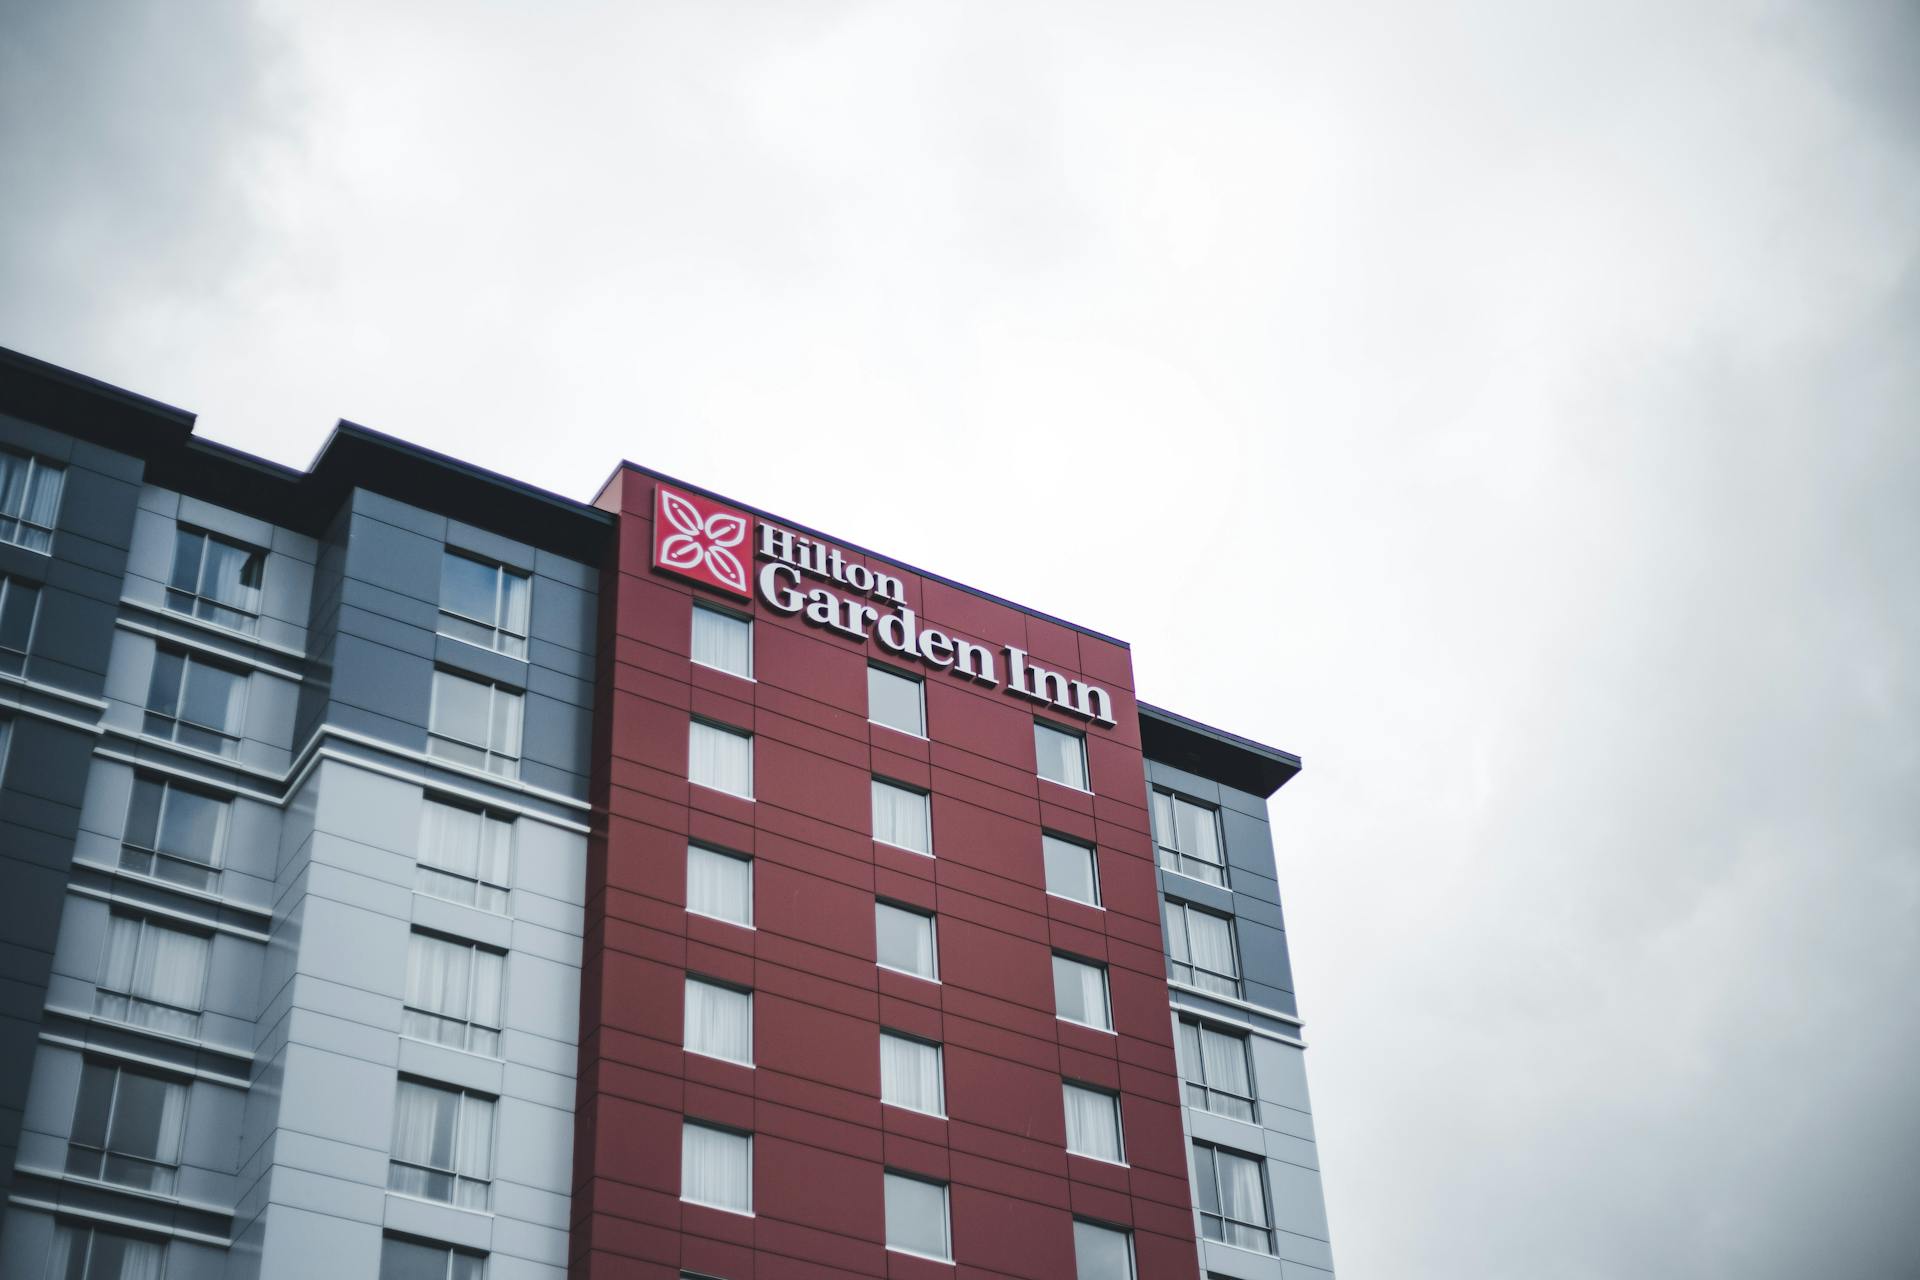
(708, 542)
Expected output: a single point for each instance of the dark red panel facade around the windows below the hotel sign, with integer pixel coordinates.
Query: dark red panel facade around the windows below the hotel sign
(811, 1101)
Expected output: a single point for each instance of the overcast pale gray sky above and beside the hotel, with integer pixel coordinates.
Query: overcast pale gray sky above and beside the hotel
(1510, 408)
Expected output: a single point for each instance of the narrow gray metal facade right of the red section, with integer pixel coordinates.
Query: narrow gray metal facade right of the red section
(1266, 1016)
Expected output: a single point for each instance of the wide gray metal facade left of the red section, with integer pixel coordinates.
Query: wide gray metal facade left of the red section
(291, 1064)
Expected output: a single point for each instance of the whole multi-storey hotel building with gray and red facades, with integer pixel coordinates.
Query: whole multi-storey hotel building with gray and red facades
(414, 874)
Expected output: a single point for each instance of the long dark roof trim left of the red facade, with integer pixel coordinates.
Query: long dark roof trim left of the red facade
(308, 502)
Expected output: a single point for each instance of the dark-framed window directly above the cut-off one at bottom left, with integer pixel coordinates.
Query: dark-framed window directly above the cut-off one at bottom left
(128, 1127)
